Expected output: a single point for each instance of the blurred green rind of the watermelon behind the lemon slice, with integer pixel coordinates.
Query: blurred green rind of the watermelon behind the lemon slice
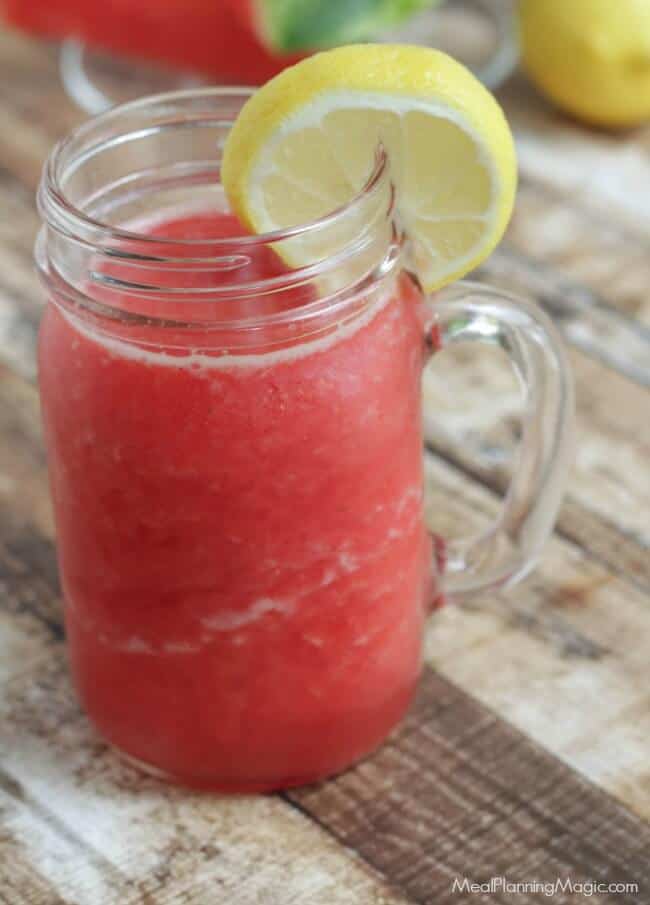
(292, 26)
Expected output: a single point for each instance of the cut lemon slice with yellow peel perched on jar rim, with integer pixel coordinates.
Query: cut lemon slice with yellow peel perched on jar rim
(305, 144)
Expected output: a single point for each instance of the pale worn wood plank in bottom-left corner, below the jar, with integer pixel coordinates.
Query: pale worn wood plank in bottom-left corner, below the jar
(95, 831)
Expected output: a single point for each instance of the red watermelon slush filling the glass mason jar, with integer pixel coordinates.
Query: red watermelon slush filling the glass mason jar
(243, 553)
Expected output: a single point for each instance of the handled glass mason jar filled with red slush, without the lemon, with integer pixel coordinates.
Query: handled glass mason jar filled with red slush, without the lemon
(234, 436)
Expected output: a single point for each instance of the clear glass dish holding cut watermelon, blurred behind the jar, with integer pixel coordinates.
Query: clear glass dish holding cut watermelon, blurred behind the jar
(110, 51)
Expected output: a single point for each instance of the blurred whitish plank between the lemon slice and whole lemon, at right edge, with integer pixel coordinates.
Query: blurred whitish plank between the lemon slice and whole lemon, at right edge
(581, 211)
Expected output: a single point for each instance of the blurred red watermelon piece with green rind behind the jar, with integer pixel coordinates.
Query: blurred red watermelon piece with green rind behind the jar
(246, 41)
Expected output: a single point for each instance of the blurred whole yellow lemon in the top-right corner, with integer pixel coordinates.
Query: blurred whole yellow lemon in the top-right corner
(592, 57)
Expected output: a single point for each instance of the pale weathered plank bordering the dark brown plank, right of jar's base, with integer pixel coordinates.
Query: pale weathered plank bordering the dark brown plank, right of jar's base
(564, 656)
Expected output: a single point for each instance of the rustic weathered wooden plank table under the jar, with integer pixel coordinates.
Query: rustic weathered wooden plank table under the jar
(528, 754)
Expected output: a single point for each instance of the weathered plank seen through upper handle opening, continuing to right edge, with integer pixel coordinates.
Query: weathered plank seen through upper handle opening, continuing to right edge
(472, 402)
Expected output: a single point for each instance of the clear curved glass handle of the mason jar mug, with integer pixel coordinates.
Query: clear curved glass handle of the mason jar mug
(468, 312)
